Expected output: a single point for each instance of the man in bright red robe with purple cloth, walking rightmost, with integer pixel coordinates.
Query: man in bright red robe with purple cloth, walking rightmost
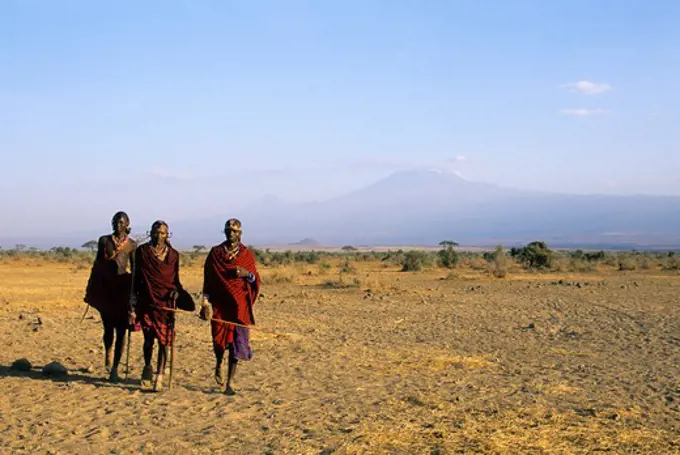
(231, 285)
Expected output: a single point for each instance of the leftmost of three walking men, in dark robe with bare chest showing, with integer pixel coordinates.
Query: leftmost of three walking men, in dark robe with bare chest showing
(108, 288)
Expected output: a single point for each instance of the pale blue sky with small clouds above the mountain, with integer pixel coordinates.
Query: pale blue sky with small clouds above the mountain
(199, 107)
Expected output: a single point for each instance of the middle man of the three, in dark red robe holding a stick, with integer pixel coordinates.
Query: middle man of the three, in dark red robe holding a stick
(156, 287)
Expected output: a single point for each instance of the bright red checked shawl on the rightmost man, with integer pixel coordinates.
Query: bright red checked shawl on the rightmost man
(232, 298)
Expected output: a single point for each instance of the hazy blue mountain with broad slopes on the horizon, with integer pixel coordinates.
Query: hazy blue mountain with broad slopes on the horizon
(425, 207)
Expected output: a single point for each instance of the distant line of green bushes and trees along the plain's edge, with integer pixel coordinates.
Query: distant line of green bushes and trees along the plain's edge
(533, 256)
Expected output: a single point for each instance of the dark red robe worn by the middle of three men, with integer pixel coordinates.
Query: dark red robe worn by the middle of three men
(154, 282)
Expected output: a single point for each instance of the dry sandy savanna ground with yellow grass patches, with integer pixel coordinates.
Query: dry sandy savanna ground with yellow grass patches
(358, 356)
